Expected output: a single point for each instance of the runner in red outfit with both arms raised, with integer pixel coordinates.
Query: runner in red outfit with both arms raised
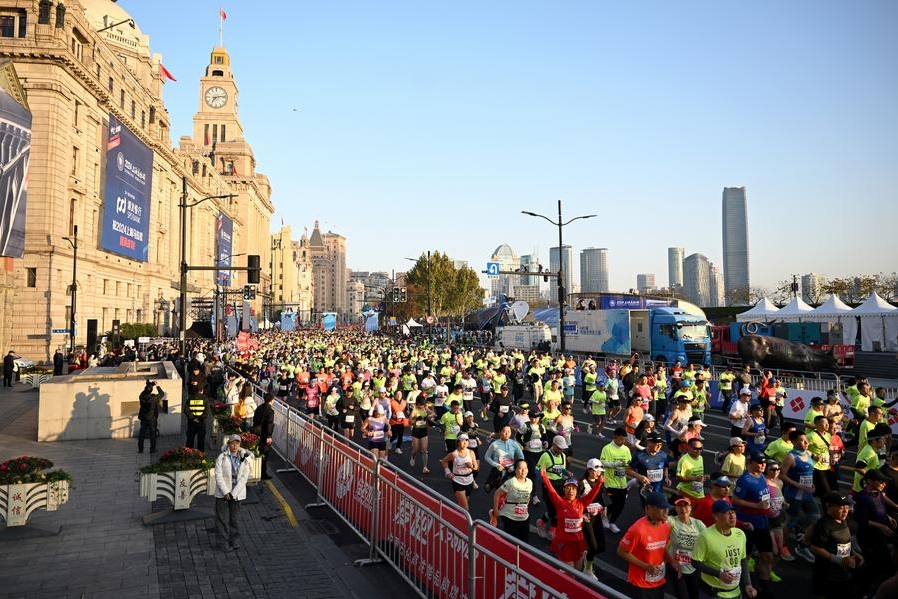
(569, 545)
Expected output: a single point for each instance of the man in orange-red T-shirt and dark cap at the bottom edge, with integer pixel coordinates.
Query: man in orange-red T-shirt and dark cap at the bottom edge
(643, 548)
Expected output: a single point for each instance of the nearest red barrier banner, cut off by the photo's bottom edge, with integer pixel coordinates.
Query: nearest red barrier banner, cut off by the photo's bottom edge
(501, 576)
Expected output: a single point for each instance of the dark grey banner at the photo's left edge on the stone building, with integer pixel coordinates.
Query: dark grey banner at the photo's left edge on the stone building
(15, 139)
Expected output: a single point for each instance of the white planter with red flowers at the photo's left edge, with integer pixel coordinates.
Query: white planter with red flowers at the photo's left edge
(25, 487)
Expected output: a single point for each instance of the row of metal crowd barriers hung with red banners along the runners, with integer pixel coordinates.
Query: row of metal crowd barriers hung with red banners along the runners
(433, 544)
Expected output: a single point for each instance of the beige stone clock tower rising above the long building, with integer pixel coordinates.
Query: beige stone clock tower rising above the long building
(216, 126)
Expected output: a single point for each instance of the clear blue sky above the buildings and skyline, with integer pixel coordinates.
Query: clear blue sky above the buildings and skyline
(425, 125)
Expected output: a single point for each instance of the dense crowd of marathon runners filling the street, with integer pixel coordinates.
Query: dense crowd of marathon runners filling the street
(513, 415)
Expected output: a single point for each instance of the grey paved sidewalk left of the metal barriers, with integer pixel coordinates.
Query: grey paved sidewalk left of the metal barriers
(104, 550)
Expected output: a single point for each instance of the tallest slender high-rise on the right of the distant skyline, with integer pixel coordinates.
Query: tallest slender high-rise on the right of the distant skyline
(735, 246)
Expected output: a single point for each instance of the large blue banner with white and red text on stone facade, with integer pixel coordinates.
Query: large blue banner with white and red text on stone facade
(126, 202)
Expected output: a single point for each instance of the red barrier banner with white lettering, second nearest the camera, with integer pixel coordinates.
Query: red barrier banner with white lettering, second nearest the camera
(426, 538)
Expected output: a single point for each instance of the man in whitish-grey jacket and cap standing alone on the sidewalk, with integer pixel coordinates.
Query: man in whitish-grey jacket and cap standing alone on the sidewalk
(232, 468)
